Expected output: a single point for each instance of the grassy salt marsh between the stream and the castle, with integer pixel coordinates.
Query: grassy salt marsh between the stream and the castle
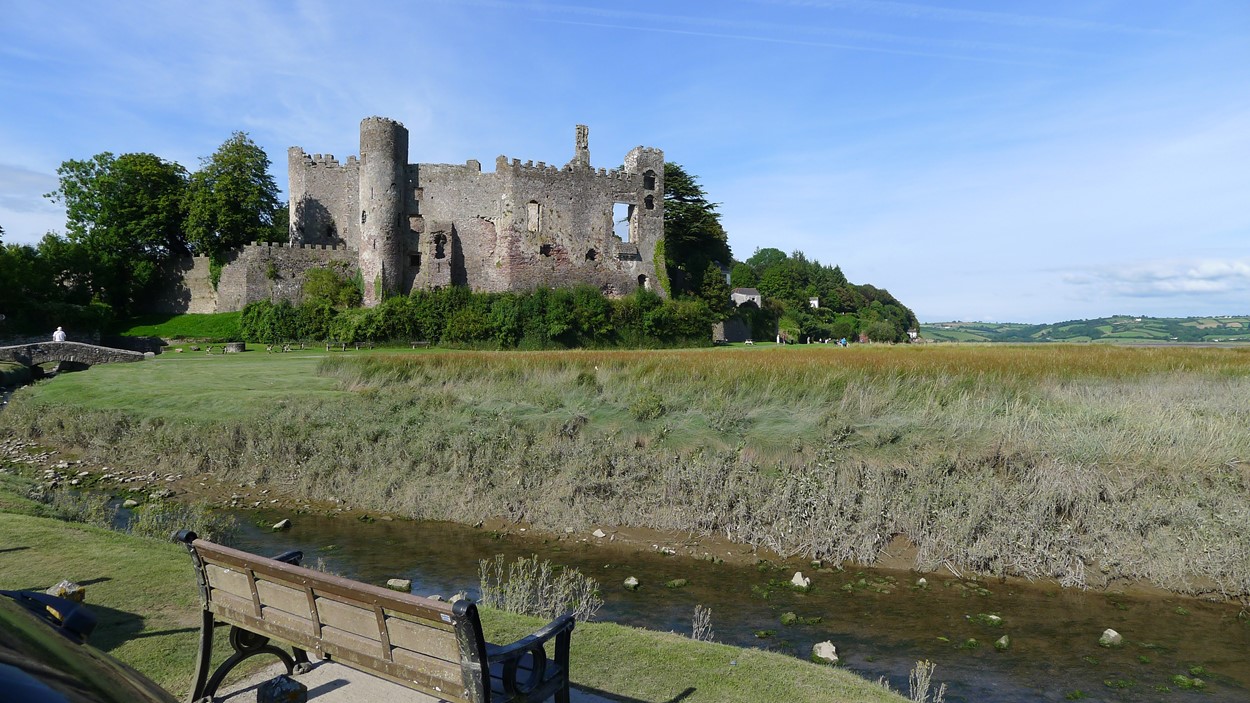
(1076, 463)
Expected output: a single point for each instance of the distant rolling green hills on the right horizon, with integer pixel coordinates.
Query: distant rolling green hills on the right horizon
(1121, 328)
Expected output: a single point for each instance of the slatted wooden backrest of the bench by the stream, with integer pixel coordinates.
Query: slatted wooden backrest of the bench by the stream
(422, 644)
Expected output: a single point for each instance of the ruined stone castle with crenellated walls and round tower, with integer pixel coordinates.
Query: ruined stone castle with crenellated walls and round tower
(412, 227)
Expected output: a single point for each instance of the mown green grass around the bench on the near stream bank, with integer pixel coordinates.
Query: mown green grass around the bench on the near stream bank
(146, 597)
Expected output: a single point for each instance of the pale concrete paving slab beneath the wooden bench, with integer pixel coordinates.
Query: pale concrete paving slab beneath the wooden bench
(332, 682)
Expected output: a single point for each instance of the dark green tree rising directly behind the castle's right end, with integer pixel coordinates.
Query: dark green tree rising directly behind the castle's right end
(693, 235)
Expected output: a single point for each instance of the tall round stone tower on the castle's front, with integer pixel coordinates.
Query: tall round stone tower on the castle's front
(383, 190)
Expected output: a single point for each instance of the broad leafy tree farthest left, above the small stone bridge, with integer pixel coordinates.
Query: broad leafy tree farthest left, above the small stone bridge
(124, 218)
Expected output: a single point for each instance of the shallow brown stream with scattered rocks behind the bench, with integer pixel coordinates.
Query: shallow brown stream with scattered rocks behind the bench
(881, 621)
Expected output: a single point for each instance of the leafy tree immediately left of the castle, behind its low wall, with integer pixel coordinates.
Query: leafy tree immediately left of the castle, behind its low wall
(232, 200)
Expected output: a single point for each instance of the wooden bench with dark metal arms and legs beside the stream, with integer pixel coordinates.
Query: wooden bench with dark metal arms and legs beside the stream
(424, 645)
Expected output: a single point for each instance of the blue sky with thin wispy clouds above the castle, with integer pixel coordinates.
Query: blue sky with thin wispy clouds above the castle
(1013, 162)
